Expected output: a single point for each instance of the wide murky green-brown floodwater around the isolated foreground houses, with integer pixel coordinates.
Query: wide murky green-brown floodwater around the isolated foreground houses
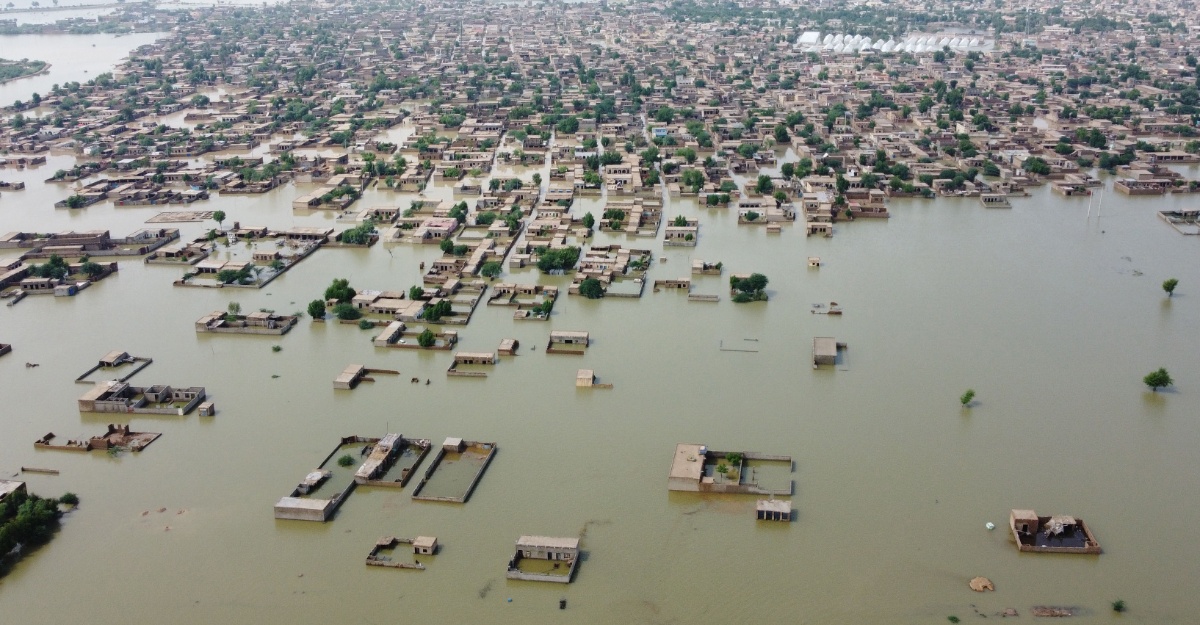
(1051, 316)
